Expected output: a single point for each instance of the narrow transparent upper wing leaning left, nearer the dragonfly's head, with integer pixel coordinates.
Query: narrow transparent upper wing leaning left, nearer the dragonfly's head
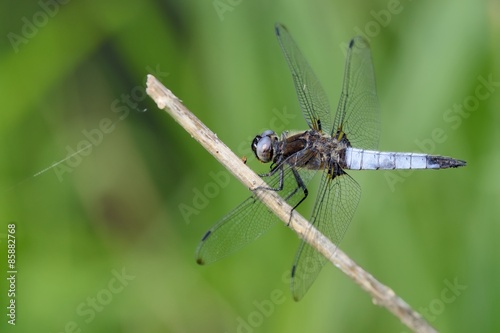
(312, 98)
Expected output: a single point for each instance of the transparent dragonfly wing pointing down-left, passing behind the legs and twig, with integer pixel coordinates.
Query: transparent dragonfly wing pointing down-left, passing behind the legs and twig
(251, 219)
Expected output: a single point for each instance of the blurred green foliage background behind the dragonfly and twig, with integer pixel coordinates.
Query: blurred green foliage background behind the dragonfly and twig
(77, 70)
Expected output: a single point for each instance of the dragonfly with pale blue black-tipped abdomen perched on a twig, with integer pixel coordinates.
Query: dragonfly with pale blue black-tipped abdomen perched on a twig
(348, 143)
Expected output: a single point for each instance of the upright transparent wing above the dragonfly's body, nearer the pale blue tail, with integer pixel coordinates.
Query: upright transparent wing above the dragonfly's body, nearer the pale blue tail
(358, 112)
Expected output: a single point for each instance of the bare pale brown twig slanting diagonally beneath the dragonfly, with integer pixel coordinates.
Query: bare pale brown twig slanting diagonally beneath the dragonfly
(380, 294)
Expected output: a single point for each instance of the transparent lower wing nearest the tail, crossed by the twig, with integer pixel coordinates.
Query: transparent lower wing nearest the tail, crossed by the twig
(333, 211)
